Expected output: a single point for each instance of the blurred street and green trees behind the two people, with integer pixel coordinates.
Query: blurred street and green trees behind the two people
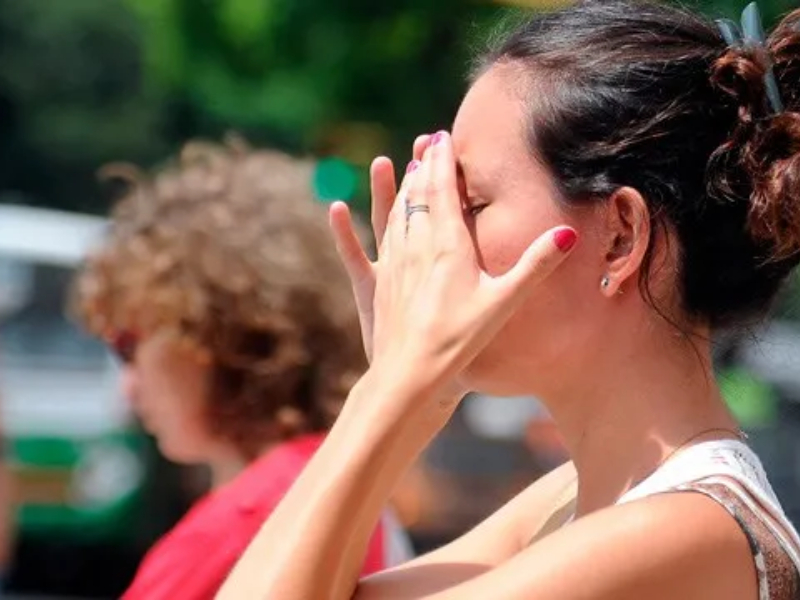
(85, 82)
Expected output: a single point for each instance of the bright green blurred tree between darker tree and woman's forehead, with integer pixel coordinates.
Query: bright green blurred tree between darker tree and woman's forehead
(345, 77)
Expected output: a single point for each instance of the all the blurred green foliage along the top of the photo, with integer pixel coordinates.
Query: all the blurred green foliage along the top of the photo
(83, 82)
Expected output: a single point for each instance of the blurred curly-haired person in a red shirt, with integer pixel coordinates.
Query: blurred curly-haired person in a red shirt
(220, 290)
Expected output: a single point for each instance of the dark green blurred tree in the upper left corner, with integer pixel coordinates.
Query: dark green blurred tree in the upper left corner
(71, 99)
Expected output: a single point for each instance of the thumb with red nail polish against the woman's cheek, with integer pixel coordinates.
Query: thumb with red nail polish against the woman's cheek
(538, 262)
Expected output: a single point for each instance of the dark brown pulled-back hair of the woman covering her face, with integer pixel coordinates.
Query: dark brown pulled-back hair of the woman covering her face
(639, 94)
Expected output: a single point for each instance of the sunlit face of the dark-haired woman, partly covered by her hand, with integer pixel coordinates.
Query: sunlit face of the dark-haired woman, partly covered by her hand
(513, 201)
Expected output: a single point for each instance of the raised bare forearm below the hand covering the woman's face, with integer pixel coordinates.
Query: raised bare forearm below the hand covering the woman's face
(314, 543)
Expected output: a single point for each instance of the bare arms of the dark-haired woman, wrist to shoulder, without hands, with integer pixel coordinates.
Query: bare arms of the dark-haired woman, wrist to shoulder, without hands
(665, 547)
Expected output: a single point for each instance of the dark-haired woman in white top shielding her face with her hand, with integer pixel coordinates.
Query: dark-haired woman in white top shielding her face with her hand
(622, 180)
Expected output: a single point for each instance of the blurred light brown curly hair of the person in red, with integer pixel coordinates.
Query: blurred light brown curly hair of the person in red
(227, 248)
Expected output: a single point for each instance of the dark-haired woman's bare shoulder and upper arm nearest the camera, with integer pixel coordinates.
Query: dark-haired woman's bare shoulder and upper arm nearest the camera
(668, 546)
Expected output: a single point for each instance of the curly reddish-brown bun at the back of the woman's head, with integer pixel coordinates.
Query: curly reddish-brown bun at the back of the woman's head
(760, 163)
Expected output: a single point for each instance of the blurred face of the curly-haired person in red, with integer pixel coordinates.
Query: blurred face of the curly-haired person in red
(167, 385)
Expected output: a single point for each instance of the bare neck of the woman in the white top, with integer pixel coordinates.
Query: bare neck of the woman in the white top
(652, 393)
